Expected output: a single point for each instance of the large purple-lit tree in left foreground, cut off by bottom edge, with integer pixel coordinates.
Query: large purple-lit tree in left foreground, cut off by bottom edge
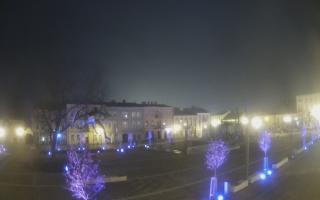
(82, 175)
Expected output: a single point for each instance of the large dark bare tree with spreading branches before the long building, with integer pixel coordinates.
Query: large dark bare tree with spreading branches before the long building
(53, 114)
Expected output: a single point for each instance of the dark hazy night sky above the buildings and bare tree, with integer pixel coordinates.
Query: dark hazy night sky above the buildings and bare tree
(214, 54)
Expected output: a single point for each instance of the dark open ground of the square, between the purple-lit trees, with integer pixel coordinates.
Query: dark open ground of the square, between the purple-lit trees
(151, 174)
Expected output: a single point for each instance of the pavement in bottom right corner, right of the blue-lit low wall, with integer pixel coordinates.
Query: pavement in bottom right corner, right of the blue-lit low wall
(299, 179)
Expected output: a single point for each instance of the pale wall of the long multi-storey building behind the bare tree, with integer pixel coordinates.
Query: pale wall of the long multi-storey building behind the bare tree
(123, 121)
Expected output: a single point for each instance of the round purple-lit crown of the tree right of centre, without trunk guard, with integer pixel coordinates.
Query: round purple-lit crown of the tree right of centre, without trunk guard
(216, 155)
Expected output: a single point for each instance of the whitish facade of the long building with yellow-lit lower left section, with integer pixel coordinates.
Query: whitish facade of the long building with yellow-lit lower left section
(122, 122)
